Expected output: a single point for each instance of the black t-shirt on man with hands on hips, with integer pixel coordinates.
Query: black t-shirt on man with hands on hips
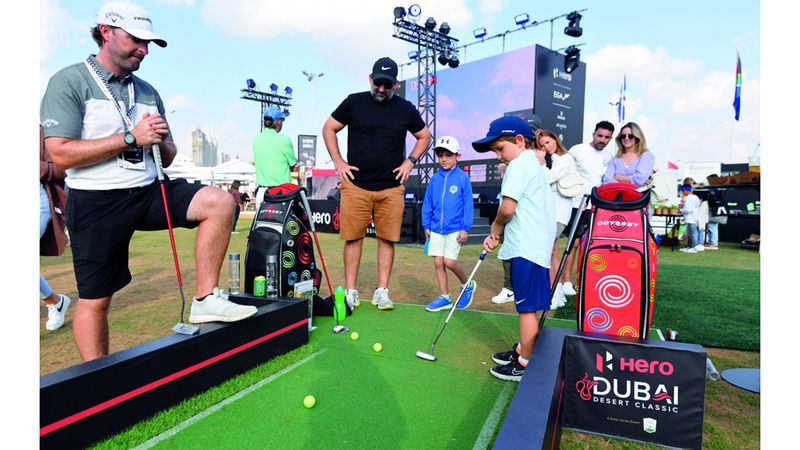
(376, 137)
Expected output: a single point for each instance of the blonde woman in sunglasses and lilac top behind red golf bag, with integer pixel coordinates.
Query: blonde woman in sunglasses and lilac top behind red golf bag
(633, 162)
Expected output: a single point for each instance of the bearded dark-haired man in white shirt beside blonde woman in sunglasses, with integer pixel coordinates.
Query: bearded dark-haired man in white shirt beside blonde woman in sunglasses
(592, 159)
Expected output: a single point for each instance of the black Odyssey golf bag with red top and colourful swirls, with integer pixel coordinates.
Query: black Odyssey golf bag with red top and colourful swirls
(281, 228)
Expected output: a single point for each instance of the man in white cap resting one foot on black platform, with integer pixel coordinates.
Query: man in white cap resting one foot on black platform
(100, 122)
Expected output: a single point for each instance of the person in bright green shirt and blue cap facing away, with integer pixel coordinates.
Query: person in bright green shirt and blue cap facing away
(273, 154)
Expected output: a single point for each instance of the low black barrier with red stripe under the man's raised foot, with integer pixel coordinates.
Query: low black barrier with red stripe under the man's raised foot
(83, 404)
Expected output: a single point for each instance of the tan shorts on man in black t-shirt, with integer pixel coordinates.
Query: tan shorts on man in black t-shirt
(359, 206)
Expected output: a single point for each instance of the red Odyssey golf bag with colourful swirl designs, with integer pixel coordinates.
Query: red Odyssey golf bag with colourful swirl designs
(617, 264)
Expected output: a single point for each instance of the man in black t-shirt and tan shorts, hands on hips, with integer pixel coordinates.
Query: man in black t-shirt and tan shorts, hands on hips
(374, 172)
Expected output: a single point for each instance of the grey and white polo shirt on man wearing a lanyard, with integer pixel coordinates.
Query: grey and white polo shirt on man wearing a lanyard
(75, 107)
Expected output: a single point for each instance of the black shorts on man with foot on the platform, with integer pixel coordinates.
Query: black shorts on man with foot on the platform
(101, 224)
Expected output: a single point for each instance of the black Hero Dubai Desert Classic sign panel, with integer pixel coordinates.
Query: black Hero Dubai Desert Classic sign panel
(635, 390)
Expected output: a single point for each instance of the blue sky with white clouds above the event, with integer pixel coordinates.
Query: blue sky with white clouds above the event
(679, 58)
